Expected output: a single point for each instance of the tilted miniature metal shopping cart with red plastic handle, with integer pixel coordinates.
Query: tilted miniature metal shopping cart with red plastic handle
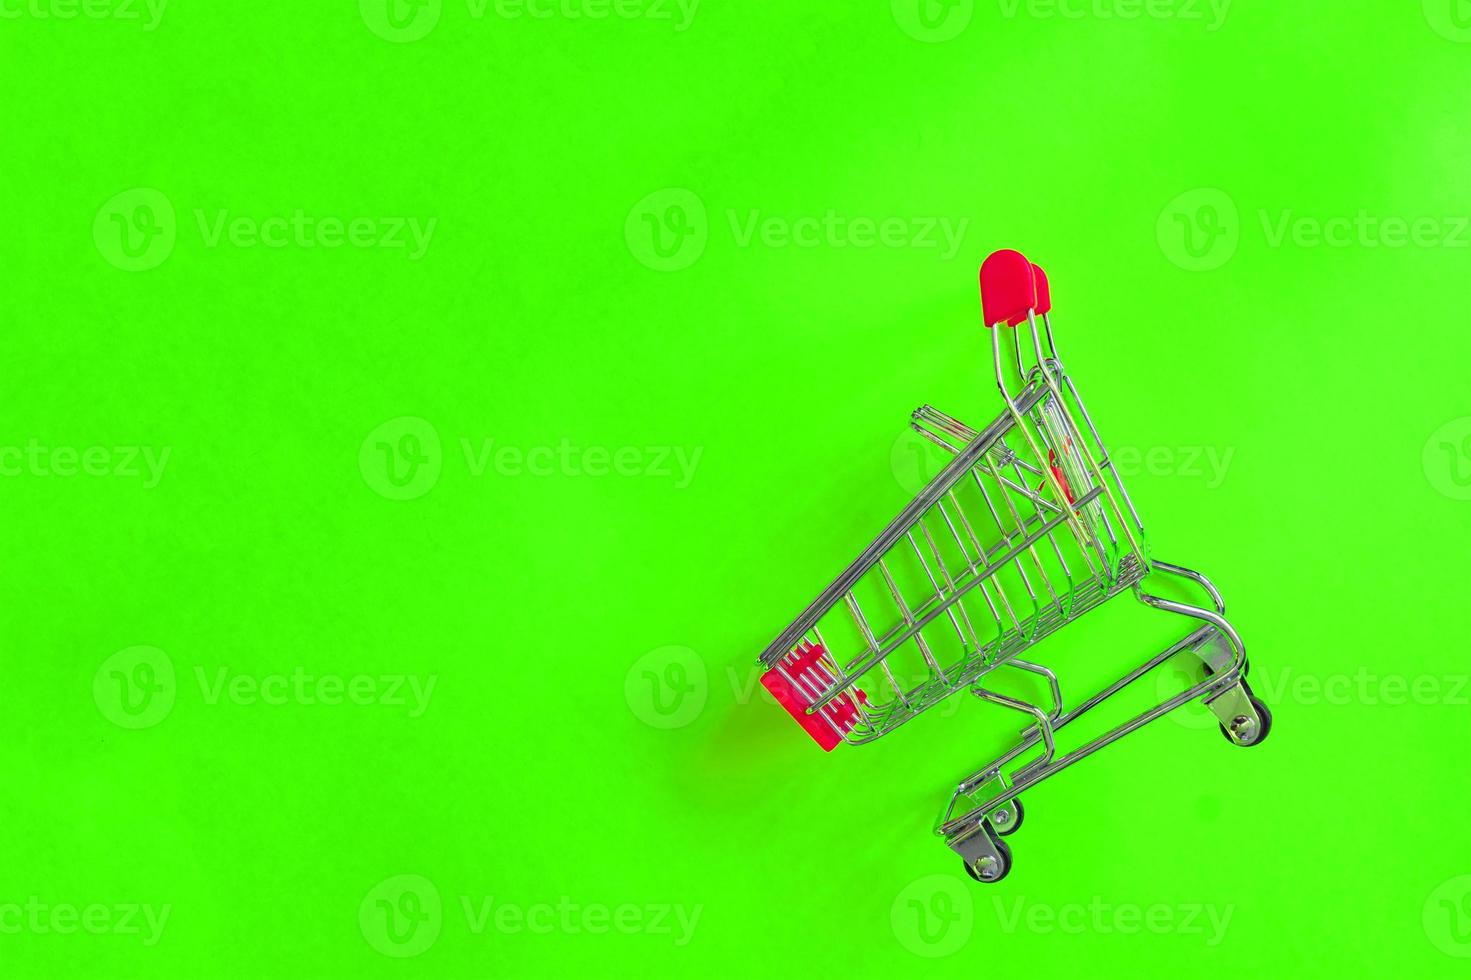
(1023, 532)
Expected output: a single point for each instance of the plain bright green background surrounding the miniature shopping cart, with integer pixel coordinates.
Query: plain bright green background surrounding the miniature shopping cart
(542, 597)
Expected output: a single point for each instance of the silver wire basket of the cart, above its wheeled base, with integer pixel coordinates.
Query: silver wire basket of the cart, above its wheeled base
(1022, 533)
